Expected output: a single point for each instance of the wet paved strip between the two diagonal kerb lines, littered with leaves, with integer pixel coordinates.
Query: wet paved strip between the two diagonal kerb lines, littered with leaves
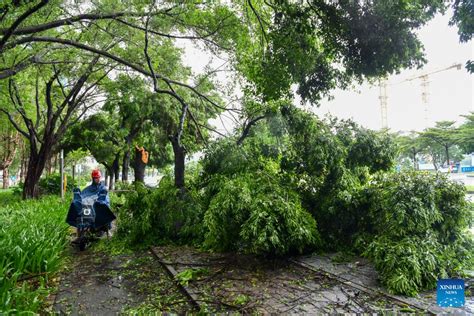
(246, 284)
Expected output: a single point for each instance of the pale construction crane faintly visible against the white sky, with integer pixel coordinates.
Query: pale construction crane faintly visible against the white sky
(383, 97)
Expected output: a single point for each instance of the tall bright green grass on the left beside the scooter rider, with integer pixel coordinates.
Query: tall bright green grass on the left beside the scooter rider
(33, 237)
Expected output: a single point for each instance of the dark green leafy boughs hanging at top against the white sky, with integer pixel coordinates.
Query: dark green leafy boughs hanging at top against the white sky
(320, 45)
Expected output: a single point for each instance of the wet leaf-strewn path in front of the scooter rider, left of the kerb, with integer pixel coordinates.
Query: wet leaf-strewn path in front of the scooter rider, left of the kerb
(98, 283)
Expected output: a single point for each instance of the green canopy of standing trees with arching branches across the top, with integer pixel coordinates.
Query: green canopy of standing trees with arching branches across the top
(65, 57)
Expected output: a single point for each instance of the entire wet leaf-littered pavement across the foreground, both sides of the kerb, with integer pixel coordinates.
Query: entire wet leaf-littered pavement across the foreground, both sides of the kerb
(99, 283)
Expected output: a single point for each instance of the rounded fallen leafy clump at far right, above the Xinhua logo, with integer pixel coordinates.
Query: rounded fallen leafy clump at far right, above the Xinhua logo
(419, 225)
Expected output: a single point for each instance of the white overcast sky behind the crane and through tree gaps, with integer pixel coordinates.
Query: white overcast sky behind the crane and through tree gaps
(450, 92)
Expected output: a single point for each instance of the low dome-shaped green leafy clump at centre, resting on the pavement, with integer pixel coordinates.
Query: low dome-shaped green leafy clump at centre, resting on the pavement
(254, 213)
